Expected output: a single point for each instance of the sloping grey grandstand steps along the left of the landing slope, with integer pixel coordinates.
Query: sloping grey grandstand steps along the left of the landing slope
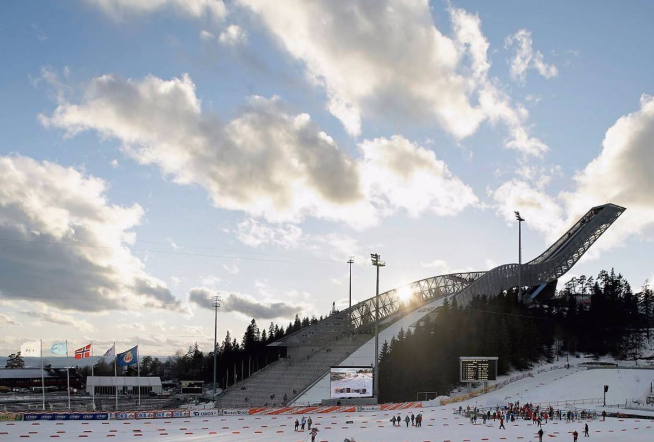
(289, 377)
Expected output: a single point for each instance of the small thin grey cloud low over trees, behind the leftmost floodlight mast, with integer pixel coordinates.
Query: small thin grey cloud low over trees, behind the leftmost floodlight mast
(245, 304)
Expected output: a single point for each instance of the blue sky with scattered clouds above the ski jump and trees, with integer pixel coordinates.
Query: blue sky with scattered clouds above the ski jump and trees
(154, 154)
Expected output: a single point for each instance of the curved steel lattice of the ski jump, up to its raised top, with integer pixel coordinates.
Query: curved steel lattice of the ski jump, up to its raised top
(546, 268)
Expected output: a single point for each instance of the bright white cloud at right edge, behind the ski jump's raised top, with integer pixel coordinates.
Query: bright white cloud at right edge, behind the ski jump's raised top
(620, 174)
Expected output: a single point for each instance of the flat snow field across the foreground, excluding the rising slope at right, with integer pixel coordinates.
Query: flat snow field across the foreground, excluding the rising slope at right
(439, 425)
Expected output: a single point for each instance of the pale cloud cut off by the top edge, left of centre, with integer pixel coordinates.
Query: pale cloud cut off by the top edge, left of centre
(123, 9)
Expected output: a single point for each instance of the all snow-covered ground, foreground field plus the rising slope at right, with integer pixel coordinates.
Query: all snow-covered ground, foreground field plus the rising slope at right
(440, 423)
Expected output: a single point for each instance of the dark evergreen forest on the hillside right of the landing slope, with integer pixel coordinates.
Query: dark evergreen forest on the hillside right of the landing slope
(597, 316)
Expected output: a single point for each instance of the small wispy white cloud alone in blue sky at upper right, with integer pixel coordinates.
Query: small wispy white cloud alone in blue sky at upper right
(526, 58)
